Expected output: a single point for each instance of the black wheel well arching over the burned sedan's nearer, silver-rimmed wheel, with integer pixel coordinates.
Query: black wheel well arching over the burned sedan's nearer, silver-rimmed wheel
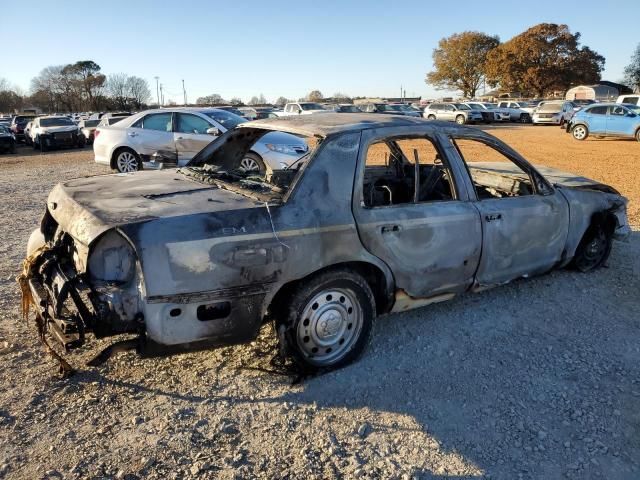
(374, 277)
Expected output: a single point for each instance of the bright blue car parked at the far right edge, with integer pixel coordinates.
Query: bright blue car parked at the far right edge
(607, 119)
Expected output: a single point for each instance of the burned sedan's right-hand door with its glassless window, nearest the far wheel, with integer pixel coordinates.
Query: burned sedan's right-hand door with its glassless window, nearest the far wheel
(524, 220)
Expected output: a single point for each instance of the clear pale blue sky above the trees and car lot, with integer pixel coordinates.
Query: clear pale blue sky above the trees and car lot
(245, 48)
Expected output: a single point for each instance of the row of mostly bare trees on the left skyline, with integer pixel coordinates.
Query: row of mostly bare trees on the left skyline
(77, 87)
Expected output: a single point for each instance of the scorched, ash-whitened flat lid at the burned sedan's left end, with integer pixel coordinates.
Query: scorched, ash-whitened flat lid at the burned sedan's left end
(87, 207)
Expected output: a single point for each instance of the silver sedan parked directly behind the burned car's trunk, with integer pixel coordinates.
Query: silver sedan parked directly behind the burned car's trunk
(169, 137)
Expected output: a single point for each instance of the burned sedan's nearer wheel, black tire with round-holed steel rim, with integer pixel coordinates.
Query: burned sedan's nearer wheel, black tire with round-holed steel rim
(328, 321)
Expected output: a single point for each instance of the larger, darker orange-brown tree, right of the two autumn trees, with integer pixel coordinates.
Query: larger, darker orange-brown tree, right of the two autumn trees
(544, 58)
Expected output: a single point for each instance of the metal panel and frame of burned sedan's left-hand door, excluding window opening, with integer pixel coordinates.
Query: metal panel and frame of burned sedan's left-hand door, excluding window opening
(431, 247)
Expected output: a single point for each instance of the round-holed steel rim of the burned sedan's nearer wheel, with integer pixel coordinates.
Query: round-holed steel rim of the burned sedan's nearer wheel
(330, 325)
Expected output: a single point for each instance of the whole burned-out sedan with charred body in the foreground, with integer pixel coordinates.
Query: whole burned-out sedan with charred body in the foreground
(384, 214)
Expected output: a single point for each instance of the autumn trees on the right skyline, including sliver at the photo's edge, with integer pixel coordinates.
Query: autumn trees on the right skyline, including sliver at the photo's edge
(543, 59)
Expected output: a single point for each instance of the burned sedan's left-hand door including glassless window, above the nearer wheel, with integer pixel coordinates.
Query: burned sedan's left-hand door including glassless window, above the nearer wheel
(429, 238)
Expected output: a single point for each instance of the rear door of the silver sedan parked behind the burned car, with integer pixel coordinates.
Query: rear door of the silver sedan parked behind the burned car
(150, 134)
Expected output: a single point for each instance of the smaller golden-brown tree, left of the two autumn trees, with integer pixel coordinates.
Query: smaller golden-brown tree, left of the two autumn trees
(460, 60)
